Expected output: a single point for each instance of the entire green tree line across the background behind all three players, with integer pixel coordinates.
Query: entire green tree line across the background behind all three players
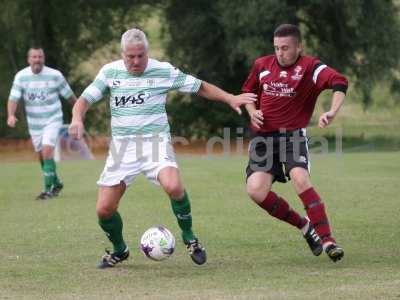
(214, 40)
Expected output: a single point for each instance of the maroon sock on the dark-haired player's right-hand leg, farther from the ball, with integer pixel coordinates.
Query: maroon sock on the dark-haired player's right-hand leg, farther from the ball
(315, 209)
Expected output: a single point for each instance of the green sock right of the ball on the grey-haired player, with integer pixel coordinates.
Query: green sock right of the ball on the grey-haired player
(182, 211)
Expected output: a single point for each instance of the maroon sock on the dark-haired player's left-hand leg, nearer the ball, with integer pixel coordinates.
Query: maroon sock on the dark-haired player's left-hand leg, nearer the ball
(277, 207)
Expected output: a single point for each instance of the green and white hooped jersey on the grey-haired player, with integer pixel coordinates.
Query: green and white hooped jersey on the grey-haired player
(137, 102)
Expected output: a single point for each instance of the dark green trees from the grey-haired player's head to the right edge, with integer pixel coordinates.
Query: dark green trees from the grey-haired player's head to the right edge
(219, 40)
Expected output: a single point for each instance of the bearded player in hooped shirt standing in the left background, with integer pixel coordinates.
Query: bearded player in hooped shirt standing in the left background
(40, 87)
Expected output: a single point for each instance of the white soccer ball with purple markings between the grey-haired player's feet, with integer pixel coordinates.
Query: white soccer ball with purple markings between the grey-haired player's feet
(157, 243)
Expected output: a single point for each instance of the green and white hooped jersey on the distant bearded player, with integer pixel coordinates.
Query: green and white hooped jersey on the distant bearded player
(41, 93)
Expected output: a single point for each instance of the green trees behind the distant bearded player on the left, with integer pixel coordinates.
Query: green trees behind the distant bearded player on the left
(69, 31)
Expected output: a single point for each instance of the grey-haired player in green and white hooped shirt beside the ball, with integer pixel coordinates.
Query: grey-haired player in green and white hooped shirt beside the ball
(141, 143)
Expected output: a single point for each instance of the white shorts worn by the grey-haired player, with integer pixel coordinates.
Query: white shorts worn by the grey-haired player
(131, 156)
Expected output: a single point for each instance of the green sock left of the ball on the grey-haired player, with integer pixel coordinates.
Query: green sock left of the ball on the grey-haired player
(113, 229)
